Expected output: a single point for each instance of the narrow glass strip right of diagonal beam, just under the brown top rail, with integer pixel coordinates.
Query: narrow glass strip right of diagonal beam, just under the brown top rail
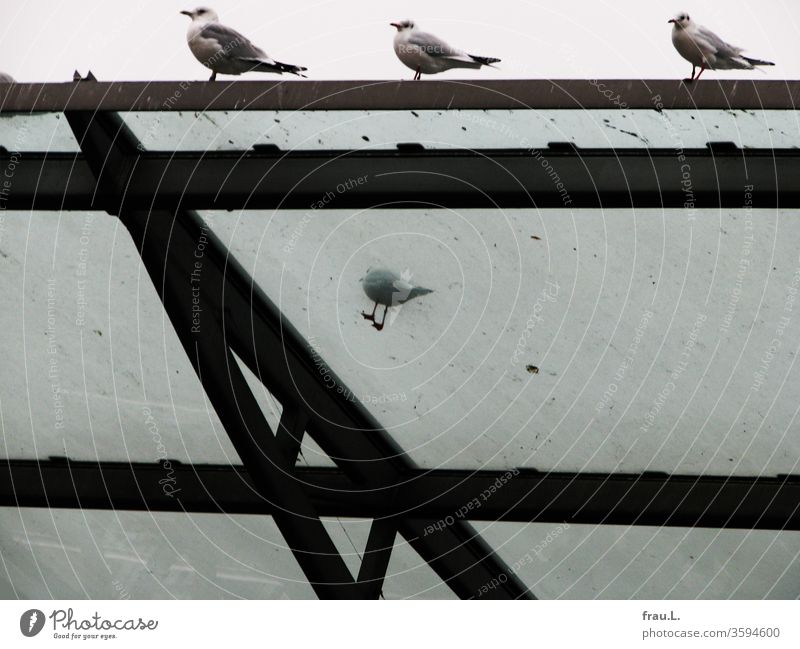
(313, 130)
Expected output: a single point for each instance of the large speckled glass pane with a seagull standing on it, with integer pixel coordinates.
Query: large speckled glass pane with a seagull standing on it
(613, 340)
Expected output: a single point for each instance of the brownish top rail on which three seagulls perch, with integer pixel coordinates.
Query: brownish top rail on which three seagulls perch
(399, 95)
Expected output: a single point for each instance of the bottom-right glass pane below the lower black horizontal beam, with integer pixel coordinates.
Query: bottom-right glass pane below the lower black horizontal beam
(612, 562)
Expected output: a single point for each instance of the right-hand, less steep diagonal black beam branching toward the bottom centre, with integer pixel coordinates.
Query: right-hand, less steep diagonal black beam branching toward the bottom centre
(296, 375)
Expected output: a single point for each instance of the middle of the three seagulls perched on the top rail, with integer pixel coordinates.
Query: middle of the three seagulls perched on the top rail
(425, 53)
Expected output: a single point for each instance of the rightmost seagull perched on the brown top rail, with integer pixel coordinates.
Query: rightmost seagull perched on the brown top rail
(703, 48)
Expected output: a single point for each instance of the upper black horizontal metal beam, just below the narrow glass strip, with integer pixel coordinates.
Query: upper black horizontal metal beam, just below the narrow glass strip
(561, 176)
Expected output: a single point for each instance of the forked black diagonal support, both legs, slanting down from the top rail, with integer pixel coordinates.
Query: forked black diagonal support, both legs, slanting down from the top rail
(239, 318)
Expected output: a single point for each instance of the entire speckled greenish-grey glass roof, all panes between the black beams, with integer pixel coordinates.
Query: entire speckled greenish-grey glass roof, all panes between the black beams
(621, 340)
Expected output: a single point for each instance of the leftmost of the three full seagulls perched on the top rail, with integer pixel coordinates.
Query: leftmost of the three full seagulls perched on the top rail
(224, 50)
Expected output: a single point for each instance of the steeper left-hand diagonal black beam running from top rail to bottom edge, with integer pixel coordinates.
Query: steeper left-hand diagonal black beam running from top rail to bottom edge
(167, 254)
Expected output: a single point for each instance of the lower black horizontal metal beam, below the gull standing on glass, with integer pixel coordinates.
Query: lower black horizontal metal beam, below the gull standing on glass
(443, 496)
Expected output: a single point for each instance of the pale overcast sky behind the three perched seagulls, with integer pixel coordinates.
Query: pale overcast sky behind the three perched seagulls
(46, 40)
